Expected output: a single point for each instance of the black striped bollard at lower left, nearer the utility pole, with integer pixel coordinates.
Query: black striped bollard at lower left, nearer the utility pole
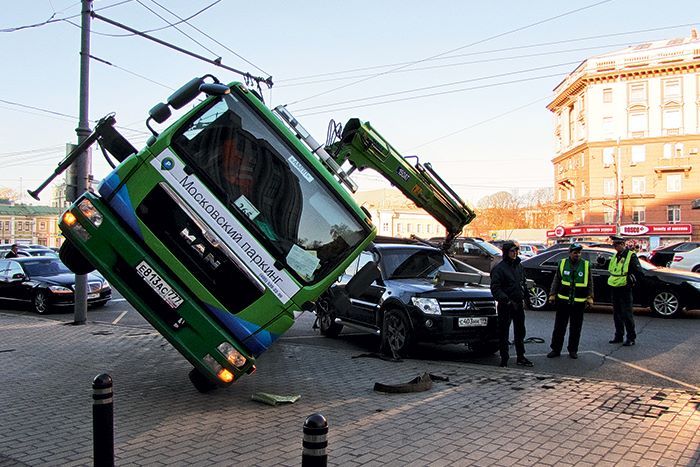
(102, 421)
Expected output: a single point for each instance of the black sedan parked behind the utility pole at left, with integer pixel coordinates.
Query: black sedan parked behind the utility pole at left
(45, 282)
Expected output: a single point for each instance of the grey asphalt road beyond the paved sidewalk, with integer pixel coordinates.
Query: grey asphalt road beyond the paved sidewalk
(665, 354)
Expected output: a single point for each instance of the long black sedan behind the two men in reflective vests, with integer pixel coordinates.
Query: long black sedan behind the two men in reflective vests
(664, 290)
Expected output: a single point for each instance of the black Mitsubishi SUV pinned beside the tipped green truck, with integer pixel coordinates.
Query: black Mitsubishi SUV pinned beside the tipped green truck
(409, 293)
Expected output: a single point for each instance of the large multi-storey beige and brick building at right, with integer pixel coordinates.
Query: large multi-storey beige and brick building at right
(627, 136)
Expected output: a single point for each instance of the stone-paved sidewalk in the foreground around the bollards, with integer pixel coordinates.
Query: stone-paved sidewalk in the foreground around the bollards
(482, 416)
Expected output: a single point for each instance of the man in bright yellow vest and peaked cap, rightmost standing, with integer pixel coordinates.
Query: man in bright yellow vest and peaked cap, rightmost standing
(623, 268)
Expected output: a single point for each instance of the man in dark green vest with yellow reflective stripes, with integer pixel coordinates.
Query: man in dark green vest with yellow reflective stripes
(572, 290)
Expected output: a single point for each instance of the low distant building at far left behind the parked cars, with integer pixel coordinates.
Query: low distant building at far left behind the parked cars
(37, 225)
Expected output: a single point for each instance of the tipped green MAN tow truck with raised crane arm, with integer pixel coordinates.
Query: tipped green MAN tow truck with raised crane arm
(232, 219)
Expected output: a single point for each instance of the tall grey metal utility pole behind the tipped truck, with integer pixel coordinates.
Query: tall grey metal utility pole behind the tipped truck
(82, 163)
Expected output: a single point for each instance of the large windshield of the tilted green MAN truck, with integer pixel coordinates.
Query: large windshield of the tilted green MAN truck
(257, 175)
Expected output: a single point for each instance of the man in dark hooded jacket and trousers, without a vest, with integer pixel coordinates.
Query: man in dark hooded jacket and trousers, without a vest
(509, 289)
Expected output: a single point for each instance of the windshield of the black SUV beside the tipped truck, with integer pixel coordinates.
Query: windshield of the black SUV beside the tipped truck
(414, 263)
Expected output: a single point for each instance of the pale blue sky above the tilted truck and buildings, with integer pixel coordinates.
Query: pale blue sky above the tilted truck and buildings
(461, 84)
